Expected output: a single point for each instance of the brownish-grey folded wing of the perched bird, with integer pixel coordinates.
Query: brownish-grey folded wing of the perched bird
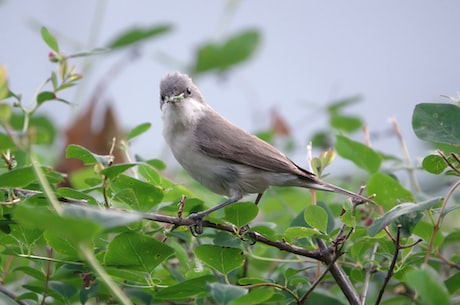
(236, 145)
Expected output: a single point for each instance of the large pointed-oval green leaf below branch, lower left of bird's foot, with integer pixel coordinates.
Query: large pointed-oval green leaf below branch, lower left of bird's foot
(136, 251)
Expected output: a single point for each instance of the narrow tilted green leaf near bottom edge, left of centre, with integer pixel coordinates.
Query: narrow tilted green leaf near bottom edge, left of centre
(186, 289)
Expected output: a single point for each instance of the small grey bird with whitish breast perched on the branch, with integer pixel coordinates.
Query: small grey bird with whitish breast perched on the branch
(221, 156)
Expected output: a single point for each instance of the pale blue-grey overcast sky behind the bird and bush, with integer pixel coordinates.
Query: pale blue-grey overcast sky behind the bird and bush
(394, 53)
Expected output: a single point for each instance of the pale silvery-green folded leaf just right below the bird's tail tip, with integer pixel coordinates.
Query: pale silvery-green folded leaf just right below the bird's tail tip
(398, 211)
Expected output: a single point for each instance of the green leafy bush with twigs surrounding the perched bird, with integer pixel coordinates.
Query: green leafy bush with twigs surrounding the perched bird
(116, 235)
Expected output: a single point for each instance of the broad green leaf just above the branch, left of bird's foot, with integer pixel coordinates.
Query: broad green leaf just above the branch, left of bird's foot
(141, 195)
